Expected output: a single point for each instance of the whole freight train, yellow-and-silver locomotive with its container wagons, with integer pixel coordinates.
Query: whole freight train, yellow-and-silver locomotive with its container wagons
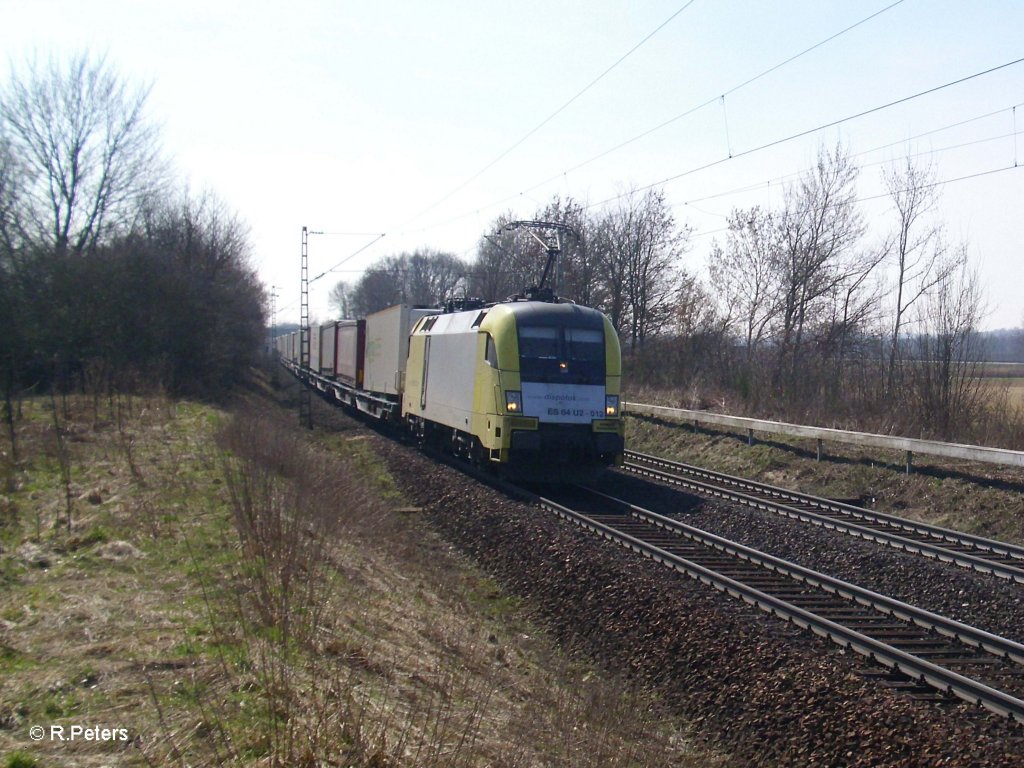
(531, 389)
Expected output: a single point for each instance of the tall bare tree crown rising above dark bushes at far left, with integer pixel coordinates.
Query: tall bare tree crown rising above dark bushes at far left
(90, 153)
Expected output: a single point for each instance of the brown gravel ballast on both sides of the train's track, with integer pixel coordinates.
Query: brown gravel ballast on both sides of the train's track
(763, 691)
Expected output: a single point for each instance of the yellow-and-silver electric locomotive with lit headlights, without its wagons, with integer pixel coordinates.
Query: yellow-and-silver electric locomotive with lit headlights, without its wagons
(529, 387)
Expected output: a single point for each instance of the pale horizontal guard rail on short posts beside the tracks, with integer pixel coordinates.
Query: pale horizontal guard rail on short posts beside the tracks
(911, 446)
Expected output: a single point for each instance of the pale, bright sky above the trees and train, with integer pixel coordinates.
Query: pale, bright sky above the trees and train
(378, 117)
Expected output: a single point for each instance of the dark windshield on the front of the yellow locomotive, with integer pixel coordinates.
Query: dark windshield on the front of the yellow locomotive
(568, 356)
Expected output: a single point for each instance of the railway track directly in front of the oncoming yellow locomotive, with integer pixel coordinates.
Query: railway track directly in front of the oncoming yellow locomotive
(923, 649)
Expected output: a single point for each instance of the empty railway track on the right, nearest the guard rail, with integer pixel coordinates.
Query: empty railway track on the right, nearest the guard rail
(985, 556)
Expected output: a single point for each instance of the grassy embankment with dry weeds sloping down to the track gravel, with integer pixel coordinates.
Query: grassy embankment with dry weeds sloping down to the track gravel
(234, 591)
